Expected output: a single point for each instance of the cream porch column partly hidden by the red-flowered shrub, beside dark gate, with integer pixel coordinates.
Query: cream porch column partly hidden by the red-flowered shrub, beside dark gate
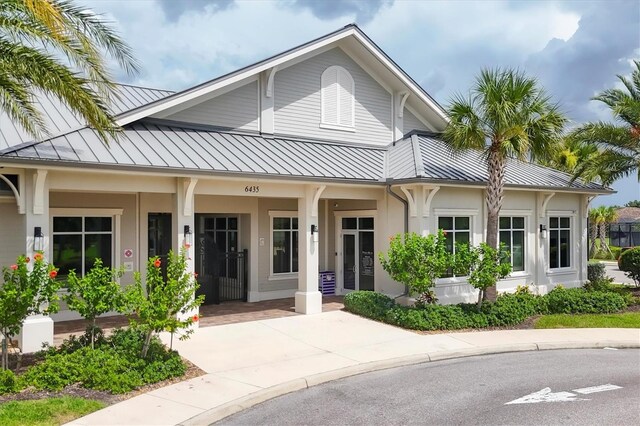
(183, 222)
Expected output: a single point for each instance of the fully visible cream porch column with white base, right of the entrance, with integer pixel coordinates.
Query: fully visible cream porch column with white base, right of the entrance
(308, 298)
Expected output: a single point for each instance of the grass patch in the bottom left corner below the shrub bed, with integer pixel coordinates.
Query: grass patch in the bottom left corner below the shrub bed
(41, 412)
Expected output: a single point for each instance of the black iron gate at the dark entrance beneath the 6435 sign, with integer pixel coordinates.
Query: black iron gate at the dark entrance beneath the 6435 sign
(223, 277)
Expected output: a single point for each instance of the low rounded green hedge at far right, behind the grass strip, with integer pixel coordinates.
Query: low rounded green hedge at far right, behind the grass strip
(579, 301)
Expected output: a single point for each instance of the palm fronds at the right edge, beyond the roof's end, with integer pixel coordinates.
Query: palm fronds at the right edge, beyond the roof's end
(619, 143)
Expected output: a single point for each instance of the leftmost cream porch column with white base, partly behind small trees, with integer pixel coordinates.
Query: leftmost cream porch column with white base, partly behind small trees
(37, 329)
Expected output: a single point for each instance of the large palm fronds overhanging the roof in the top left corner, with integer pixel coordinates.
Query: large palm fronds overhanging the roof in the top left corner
(56, 48)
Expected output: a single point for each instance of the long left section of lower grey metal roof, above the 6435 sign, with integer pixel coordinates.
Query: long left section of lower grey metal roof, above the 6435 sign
(154, 145)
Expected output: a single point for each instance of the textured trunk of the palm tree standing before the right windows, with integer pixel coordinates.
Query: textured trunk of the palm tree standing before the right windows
(495, 192)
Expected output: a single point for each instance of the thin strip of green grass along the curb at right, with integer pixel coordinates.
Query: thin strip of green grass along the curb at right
(624, 320)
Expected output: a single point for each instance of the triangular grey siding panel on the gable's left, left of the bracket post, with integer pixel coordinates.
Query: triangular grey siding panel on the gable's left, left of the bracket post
(237, 109)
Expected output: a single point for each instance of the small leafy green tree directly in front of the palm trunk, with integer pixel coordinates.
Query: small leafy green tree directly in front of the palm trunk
(486, 267)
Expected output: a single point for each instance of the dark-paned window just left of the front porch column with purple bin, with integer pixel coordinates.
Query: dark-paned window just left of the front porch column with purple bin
(284, 244)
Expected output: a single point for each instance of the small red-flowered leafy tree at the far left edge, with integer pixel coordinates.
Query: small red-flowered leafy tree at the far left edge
(25, 292)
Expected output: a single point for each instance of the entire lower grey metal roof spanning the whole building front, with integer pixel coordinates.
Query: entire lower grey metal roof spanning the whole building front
(180, 146)
